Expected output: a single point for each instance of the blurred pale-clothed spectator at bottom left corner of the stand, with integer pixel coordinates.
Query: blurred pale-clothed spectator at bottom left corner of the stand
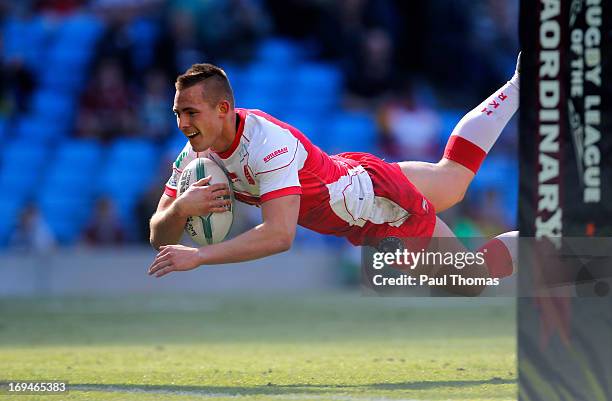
(32, 234)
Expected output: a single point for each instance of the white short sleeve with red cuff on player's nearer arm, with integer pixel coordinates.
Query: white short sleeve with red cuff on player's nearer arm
(276, 167)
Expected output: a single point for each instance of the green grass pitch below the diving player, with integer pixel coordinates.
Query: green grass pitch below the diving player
(338, 347)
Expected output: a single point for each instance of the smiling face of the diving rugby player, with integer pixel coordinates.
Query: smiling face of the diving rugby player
(200, 122)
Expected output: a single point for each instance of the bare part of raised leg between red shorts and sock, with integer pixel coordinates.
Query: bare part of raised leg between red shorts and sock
(443, 183)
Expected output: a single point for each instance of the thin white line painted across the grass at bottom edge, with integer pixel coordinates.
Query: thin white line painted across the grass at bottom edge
(205, 394)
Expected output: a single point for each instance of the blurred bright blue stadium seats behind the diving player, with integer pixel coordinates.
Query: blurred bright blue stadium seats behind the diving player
(42, 161)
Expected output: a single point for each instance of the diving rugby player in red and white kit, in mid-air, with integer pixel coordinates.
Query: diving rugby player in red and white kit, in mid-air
(275, 166)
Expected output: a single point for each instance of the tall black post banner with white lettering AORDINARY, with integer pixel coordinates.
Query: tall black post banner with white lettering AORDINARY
(565, 342)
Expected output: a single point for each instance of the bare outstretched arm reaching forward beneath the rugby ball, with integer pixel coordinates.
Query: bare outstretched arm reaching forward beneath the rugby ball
(274, 235)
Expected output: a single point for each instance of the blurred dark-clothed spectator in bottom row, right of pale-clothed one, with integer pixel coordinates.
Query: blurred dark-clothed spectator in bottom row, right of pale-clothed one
(105, 227)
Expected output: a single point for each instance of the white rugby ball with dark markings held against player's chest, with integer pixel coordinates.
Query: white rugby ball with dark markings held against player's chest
(214, 227)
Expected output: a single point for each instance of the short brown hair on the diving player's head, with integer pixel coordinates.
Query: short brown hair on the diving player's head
(217, 85)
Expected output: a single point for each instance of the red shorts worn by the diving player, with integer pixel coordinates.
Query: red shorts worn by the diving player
(389, 182)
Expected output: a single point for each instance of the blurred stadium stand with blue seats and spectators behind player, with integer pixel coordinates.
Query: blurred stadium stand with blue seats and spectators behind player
(88, 136)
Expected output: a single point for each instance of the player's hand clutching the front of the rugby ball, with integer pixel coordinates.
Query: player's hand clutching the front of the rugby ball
(201, 199)
